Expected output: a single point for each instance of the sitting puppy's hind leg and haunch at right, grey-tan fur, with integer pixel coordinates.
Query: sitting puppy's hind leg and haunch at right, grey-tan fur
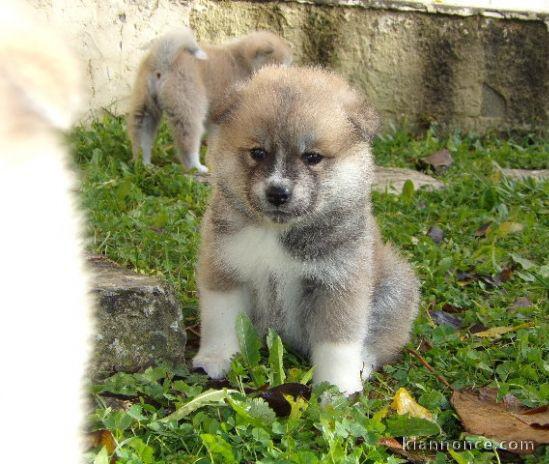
(394, 308)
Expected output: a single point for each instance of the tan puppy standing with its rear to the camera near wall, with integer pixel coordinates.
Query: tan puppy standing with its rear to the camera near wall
(188, 83)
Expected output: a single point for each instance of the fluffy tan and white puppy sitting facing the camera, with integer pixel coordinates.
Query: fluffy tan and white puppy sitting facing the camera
(289, 236)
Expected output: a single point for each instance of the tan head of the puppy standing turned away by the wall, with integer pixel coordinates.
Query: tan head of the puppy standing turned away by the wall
(263, 48)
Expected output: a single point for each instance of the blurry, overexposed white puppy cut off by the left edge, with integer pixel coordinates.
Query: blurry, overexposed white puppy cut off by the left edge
(44, 303)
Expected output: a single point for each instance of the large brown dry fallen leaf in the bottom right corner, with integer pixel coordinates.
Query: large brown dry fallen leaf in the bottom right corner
(480, 414)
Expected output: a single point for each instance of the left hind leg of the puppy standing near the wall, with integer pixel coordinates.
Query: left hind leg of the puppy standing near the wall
(143, 124)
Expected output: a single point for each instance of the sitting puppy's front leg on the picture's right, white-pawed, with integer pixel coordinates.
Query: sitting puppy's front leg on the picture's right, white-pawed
(338, 332)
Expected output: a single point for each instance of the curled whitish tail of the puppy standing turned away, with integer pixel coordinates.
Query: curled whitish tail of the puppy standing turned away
(166, 48)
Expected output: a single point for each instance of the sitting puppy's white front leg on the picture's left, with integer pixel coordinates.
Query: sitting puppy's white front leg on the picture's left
(218, 342)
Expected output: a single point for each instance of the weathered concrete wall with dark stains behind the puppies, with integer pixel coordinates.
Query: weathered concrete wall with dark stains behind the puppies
(460, 67)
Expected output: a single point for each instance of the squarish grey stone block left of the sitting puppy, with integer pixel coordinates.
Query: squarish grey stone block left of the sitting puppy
(138, 324)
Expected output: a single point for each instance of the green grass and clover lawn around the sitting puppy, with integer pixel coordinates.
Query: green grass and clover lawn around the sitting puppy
(148, 218)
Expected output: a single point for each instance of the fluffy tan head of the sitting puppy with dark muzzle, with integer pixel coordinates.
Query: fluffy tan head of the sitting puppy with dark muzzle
(293, 142)
